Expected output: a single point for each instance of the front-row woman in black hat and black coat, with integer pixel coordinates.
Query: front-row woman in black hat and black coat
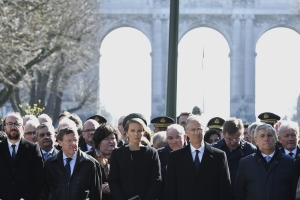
(135, 169)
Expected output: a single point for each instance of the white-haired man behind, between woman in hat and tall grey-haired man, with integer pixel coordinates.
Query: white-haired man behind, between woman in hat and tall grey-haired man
(175, 140)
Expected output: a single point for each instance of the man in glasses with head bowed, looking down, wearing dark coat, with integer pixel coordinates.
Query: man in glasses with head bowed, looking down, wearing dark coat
(235, 147)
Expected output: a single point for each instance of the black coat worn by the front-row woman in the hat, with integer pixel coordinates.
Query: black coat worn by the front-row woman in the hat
(125, 183)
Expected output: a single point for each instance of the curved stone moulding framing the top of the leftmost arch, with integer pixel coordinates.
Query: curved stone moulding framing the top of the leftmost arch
(109, 27)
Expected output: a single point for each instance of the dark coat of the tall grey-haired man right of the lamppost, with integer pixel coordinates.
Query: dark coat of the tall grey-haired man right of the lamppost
(210, 181)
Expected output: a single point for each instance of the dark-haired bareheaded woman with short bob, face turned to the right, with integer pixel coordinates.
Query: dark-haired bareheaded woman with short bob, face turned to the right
(105, 138)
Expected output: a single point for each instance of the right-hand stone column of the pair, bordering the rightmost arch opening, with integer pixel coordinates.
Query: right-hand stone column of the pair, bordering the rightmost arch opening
(249, 98)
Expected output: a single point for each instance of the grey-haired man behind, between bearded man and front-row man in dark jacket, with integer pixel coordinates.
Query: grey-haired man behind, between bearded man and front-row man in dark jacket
(46, 140)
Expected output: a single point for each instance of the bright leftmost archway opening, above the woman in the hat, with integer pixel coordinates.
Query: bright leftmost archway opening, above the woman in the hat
(125, 73)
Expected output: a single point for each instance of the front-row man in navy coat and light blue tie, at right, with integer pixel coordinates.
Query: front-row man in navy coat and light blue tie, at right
(267, 174)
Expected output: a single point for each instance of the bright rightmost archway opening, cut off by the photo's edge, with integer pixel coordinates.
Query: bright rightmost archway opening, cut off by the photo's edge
(277, 72)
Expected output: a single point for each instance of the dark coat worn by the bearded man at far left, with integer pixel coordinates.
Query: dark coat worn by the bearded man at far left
(22, 177)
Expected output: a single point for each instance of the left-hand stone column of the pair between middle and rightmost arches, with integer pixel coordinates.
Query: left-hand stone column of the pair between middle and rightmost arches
(236, 68)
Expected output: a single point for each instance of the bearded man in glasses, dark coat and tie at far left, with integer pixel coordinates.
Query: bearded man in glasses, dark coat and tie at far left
(21, 161)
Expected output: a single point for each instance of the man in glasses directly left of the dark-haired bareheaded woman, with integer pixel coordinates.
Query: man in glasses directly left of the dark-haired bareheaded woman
(89, 128)
